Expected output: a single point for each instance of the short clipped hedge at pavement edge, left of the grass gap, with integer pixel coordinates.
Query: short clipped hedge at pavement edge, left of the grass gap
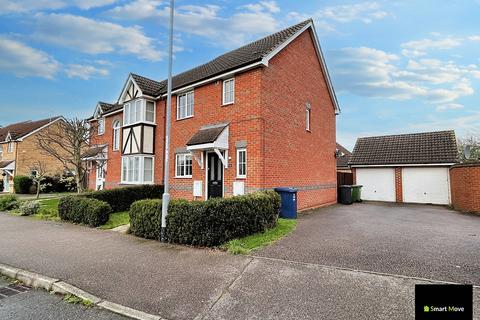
(92, 212)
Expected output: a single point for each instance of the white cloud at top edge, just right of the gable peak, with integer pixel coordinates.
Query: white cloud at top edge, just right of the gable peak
(364, 12)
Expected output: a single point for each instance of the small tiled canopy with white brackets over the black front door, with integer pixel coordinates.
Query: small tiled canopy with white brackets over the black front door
(213, 137)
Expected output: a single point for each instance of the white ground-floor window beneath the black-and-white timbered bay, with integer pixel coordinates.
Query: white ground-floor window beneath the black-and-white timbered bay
(137, 170)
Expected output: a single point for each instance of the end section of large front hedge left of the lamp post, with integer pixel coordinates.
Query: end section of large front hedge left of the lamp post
(145, 218)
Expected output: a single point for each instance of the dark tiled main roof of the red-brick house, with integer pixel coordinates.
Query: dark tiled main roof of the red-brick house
(243, 56)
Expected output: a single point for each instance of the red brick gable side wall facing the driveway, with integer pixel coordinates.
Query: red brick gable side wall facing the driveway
(294, 156)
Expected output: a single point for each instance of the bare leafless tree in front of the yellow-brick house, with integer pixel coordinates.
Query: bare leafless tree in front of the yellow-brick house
(67, 142)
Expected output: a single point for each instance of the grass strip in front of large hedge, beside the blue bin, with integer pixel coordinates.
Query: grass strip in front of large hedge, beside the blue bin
(256, 241)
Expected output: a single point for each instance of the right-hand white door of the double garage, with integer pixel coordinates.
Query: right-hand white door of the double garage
(426, 185)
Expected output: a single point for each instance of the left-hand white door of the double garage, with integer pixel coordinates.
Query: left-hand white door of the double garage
(378, 184)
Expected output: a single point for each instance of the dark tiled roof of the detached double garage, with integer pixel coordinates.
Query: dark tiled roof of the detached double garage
(416, 148)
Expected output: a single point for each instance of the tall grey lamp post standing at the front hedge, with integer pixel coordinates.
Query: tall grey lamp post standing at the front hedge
(166, 194)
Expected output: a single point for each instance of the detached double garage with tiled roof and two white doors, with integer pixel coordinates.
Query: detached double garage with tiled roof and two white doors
(412, 168)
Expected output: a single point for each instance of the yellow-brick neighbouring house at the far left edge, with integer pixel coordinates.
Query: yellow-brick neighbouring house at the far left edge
(19, 152)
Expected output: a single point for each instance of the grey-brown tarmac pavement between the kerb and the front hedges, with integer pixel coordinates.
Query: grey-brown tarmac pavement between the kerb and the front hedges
(186, 283)
